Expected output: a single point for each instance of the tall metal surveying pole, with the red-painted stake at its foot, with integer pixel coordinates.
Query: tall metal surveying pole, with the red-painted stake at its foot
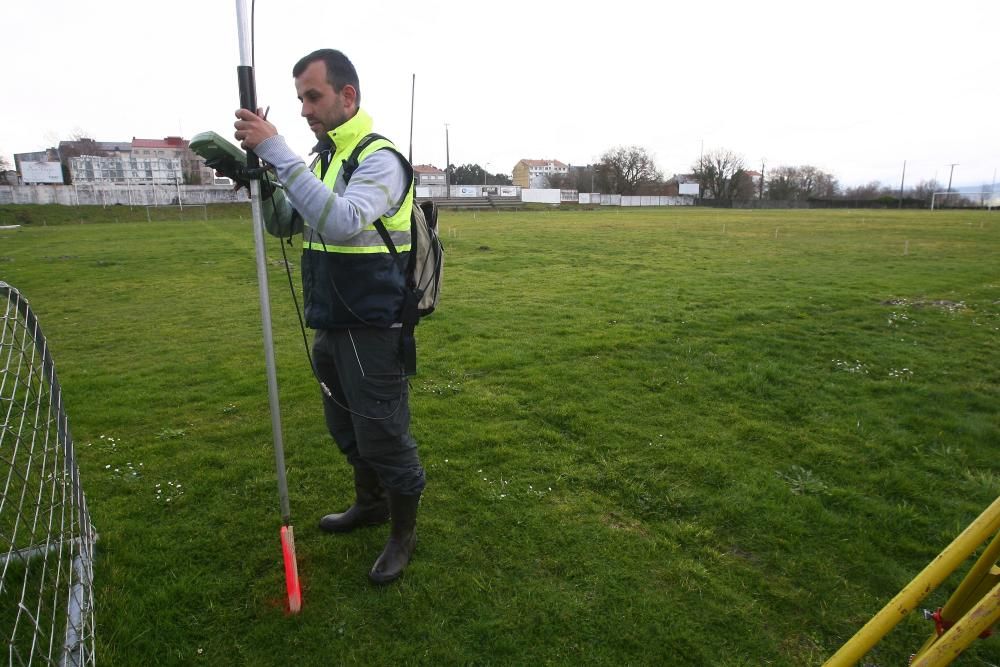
(248, 100)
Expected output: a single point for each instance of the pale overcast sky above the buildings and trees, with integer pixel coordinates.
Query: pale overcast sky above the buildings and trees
(852, 87)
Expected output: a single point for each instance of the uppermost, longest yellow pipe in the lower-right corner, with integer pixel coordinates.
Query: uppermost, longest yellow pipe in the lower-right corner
(922, 585)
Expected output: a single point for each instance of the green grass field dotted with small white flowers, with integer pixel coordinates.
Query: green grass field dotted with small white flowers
(663, 437)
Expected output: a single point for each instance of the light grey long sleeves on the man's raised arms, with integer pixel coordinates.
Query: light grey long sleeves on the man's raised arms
(376, 189)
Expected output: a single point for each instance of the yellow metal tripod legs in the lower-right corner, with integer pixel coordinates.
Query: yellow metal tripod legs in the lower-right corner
(978, 598)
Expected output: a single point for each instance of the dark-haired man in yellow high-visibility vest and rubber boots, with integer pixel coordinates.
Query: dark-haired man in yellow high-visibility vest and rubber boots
(353, 292)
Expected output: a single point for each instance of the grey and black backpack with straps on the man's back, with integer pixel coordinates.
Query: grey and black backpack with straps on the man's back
(424, 269)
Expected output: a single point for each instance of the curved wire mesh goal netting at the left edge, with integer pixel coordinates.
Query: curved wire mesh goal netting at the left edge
(46, 538)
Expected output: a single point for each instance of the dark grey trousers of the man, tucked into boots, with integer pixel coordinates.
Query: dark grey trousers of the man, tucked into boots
(369, 415)
